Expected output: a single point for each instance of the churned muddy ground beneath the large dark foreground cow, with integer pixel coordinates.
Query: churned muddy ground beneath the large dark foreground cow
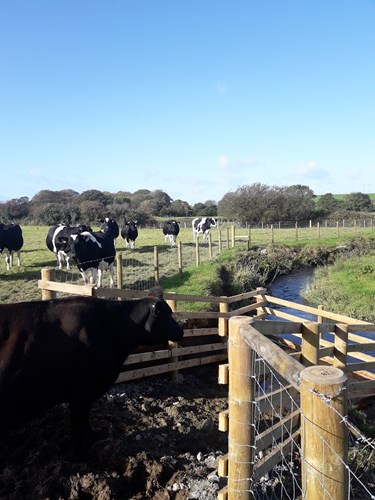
(157, 439)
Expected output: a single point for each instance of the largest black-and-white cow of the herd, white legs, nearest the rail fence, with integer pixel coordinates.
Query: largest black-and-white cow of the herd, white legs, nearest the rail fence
(94, 252)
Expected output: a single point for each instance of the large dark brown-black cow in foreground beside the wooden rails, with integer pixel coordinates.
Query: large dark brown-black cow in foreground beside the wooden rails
(72, 350)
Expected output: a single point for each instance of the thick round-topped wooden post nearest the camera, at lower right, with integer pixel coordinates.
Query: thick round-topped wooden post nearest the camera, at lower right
(324, 433)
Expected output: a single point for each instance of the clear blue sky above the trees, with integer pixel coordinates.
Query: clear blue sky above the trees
(193, 97)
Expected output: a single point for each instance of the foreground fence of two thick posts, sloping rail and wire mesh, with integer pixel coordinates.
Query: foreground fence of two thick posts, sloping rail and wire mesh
(322, 430)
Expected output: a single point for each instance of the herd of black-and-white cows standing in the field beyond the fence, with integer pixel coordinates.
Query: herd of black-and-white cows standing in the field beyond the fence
(92, 251)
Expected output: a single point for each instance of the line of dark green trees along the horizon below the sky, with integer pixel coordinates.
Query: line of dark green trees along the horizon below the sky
(249, 204)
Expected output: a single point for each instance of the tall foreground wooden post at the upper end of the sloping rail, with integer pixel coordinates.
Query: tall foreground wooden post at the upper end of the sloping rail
(241, 434)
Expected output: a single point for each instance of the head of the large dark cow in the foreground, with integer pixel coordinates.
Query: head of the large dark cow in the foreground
(155, 317)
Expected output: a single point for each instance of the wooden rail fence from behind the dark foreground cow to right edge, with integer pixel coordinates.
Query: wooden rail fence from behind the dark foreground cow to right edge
(332, 339)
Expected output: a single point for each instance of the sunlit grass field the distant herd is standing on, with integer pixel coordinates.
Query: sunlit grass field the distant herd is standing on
(139, 264)
